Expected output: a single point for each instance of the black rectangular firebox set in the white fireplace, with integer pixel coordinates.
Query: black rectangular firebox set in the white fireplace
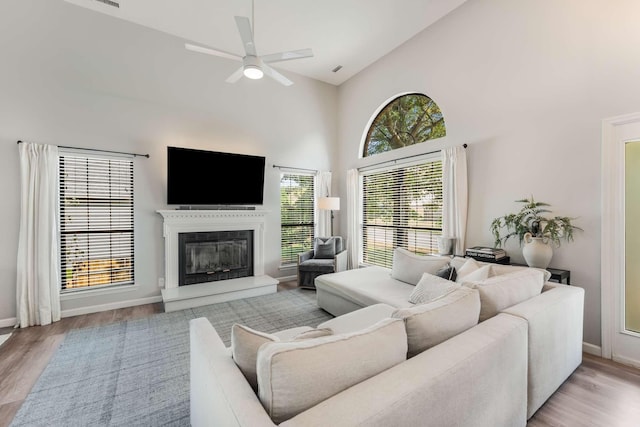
(214, 255)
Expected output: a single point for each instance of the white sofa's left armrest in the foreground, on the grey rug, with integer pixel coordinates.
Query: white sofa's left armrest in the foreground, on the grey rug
(219, 393)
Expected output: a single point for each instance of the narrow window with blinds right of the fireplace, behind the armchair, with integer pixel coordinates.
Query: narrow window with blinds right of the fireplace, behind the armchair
(296, 215)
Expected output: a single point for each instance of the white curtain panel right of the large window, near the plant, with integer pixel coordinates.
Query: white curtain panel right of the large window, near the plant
(455, 201)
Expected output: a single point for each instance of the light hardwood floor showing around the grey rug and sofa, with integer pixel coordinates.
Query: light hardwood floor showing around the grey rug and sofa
(599, 393)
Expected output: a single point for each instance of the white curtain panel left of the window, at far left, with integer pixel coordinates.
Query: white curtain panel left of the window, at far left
(38, 279)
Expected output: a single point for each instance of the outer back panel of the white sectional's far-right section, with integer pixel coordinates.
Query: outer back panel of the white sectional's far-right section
(555, 319)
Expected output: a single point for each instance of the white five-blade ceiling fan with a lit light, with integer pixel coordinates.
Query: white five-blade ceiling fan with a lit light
(253, 65)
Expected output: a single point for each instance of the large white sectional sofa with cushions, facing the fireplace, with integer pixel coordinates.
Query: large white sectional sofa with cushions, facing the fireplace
(458, 372)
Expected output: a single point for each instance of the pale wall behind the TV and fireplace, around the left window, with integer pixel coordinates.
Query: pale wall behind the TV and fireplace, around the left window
(70, 76)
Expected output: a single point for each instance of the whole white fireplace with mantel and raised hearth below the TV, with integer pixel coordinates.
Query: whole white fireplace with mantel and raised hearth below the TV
(215, 265)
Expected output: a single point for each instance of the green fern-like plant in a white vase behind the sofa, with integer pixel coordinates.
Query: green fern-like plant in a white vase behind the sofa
(537, 231)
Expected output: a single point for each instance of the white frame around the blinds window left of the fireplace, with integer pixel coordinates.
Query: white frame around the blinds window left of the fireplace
(70, 293)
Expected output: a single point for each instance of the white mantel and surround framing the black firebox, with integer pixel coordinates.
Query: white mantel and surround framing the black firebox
(189, 221)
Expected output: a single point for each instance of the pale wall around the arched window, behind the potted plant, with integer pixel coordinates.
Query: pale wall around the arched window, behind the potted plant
(526, 85)
